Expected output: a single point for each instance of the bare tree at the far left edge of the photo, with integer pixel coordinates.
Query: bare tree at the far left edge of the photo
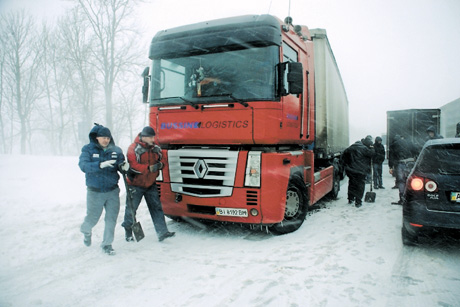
(22, 61)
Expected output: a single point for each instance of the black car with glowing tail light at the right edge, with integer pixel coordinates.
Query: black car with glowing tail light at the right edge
(432, 195)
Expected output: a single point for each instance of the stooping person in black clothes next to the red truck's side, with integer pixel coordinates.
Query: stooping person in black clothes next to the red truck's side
(356, 160)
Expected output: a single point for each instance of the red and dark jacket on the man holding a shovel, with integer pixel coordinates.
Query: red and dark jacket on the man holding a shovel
(140, 157)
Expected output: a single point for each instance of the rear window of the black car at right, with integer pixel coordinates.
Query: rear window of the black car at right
(443, 159)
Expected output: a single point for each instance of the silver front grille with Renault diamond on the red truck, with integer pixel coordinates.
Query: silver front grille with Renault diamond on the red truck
(202, 173)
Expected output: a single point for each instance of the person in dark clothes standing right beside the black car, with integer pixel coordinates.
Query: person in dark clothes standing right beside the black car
(404, 152)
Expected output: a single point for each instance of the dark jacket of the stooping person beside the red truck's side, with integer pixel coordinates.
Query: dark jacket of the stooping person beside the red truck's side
(356, 159)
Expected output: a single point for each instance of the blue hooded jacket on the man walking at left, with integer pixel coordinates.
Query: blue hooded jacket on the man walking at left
(92, 154)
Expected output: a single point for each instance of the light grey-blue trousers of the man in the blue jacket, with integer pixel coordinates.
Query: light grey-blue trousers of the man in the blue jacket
(95, 203)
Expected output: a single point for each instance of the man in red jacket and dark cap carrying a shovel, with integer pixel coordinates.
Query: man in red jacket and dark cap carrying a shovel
(145, 163)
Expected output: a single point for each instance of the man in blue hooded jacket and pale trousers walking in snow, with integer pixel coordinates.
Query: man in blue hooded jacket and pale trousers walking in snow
(100, 160)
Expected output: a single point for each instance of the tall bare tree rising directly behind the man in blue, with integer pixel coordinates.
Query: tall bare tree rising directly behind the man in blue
(114, 42)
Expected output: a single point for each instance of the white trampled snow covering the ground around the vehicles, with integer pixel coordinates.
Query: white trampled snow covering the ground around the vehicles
(341, 256)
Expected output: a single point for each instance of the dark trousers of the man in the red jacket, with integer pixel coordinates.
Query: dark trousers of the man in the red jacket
(153, 204)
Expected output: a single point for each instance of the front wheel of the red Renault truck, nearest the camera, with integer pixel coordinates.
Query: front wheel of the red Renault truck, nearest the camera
(296, 208)
